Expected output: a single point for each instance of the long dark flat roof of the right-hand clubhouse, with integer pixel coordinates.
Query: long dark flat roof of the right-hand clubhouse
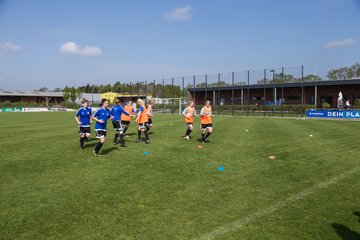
(354, 81)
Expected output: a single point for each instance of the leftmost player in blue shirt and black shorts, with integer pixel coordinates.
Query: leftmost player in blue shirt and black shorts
(83, 118)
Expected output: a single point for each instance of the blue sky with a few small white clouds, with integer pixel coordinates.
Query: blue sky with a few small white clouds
(58, 43)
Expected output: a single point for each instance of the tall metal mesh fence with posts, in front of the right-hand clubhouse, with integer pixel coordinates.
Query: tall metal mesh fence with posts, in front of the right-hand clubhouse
(252, 92)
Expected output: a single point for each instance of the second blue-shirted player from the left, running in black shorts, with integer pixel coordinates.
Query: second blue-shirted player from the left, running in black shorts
(101, 116)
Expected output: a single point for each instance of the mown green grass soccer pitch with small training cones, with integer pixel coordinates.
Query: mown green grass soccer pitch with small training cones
(50, 189)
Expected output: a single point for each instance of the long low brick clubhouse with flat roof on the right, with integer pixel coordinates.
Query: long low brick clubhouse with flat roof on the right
(306, 93)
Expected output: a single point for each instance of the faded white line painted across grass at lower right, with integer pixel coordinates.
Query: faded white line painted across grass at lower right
(221, 231)
